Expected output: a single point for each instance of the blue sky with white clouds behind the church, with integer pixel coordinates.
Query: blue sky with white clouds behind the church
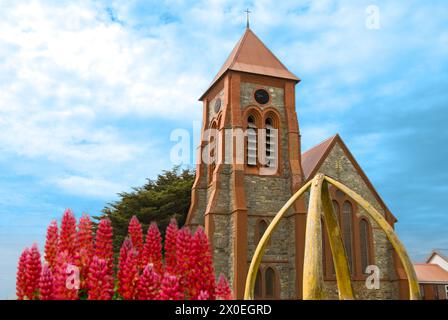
(90, 92)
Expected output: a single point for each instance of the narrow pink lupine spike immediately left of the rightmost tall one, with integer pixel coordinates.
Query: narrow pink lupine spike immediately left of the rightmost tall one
(185, 260)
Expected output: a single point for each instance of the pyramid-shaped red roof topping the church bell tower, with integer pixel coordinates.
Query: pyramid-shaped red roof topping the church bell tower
(251, 55)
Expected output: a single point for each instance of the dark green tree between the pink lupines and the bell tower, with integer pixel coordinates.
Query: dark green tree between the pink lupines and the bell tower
(158, 200)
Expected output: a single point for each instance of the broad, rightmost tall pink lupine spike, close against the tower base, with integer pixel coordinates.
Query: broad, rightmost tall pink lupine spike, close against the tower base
(202, 277)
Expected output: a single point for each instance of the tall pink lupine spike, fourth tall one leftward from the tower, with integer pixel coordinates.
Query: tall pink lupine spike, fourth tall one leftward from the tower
(152, 251)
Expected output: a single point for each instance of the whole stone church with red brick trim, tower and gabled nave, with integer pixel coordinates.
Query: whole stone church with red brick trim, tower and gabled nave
(236, 200)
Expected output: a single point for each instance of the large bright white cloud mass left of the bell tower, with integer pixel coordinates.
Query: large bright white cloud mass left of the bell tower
(68, 75)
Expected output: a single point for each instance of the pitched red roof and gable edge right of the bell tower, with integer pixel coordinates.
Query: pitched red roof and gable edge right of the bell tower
(314, 157)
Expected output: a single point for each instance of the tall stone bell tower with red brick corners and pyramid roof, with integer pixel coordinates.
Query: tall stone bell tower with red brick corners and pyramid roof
(249, 165)
